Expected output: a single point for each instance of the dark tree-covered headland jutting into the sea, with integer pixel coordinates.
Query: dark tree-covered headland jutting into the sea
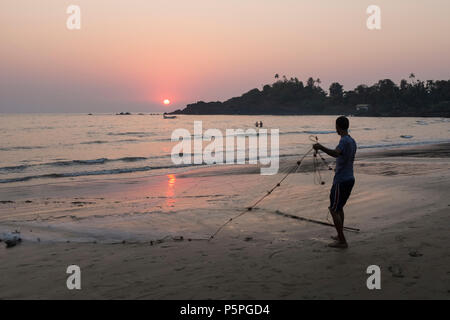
(291, 96)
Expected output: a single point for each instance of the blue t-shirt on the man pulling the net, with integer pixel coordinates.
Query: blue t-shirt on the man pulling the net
(344, 163)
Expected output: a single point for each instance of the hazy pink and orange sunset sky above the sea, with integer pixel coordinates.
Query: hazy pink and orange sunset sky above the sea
(131, 55)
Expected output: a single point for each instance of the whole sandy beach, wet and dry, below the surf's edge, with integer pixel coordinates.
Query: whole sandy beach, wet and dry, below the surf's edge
(400, 203)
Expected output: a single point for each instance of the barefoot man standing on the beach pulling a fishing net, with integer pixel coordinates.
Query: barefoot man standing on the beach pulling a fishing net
(343, 179)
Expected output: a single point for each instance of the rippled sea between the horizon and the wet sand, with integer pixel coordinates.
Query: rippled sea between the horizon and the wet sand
(43, 148)
